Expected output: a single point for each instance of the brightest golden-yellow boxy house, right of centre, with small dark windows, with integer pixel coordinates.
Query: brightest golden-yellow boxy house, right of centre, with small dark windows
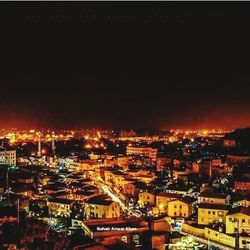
(182, 207)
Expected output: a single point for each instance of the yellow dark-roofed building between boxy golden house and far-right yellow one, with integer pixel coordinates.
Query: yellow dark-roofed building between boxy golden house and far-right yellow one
(210, 213)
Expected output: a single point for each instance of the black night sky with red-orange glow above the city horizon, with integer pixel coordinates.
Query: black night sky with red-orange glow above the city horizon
(125, 65)
